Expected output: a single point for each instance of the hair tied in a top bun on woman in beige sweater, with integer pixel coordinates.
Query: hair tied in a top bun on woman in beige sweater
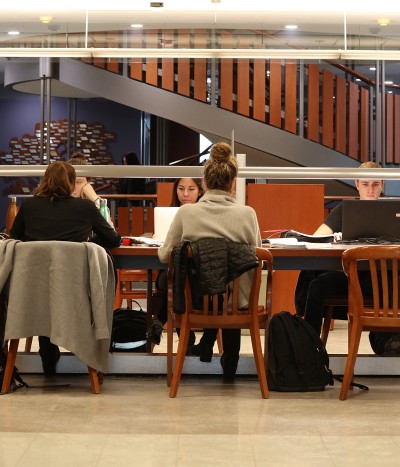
(221, 168)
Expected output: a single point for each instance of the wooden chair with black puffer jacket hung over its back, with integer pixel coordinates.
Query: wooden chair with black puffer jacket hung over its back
(229, 318)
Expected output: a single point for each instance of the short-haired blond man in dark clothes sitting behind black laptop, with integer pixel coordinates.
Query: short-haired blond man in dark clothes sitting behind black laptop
(314, 286)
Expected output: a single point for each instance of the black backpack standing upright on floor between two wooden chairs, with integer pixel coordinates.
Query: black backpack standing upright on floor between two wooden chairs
(297, 359)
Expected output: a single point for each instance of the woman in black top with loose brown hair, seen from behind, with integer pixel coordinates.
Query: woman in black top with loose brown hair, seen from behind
(54, 214)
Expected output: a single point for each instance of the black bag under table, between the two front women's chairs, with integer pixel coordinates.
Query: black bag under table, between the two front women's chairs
(129, 330)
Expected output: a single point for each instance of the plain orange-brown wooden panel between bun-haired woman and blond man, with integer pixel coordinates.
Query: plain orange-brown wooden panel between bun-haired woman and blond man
(299, 207)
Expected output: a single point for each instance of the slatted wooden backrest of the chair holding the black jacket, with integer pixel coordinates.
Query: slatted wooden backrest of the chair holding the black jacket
(225, 306)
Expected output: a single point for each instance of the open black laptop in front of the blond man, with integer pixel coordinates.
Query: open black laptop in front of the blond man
(373, 219)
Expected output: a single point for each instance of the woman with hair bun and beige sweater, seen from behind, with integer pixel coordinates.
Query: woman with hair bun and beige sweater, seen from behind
(217, 215)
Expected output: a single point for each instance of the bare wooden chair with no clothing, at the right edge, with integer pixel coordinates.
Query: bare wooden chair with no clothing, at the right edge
(382, 314)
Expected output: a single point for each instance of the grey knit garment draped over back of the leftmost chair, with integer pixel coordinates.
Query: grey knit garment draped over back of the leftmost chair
(63, 290)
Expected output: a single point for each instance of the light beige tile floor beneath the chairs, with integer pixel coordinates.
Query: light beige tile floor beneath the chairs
(210, 423)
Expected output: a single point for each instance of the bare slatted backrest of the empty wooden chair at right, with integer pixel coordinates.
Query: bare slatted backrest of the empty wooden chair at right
(373, 271)
